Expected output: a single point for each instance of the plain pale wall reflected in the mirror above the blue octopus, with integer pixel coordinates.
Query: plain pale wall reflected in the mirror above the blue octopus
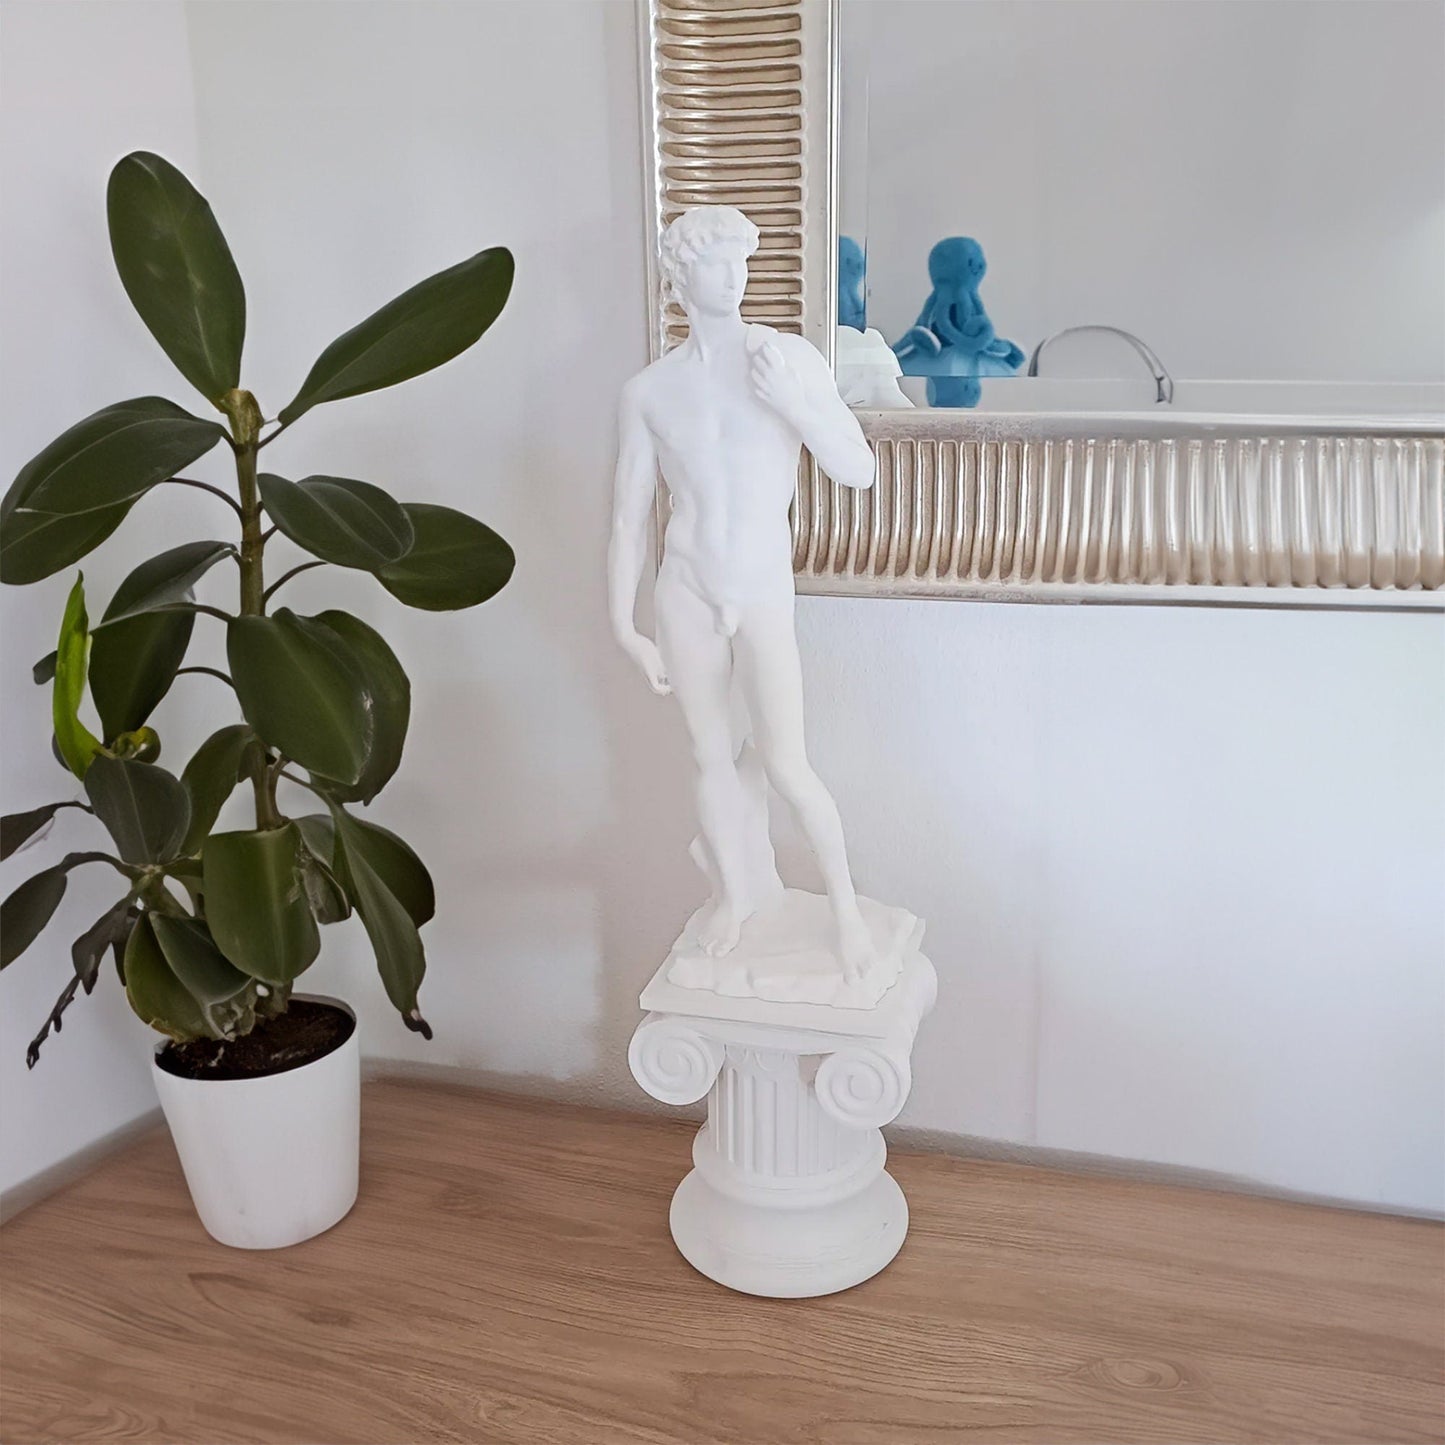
(1256, 190)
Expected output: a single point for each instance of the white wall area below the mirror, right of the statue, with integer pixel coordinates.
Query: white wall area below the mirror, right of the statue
(1184, 874)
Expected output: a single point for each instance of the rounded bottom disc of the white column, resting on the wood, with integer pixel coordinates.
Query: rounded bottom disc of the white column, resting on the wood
(793, 1254)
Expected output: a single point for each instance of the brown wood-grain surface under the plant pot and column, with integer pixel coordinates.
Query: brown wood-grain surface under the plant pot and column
(508, 1278)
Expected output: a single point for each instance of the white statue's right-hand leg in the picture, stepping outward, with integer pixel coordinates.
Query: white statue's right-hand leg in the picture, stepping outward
(771, 677)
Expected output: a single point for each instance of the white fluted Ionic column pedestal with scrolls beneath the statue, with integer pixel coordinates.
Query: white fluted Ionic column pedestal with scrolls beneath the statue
(788, 1196)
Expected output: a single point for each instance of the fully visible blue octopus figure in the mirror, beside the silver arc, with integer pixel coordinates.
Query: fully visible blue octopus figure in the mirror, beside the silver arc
(954, 342)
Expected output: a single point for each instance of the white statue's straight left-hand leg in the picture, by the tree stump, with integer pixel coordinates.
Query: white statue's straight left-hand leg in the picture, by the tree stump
(700, 668)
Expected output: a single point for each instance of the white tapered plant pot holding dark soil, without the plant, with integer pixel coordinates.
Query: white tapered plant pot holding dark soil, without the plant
(271, 1161)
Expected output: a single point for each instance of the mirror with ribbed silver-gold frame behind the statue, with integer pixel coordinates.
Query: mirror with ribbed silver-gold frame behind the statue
(1226, 284)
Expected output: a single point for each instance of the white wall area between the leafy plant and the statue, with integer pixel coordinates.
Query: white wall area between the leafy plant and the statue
(398, 139)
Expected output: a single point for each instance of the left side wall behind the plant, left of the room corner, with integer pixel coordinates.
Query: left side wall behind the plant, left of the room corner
(80, 85)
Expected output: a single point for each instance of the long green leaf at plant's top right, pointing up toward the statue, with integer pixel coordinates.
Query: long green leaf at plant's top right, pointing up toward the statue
(426, 327)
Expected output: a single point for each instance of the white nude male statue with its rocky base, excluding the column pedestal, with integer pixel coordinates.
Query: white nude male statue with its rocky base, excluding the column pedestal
(725, 417)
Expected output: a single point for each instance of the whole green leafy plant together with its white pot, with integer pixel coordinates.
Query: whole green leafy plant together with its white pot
(212, 931)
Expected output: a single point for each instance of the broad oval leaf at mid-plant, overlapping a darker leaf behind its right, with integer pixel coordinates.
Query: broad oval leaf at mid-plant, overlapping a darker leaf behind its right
(304, 693)
